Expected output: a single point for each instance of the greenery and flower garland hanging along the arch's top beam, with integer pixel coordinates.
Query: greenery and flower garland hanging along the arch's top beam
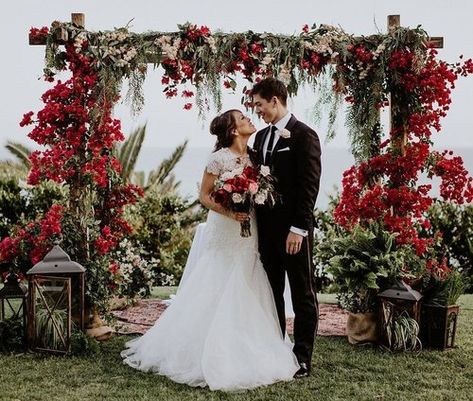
(193, 58)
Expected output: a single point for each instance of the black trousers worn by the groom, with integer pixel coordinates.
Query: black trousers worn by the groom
(300, 272)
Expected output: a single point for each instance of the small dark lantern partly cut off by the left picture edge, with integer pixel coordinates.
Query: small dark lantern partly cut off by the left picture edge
(13, 303)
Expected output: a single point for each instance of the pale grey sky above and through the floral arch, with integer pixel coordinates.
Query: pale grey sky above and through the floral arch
(167, 123)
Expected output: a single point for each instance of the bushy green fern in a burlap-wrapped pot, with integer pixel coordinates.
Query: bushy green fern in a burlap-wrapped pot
(365, 261)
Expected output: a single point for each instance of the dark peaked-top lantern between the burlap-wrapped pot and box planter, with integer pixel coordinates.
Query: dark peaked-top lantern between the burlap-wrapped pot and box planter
(397, 303)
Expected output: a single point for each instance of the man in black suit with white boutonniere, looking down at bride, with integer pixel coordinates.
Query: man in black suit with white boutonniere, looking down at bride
(292, 150)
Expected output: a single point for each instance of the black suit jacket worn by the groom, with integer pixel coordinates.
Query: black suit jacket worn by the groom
(295, 163)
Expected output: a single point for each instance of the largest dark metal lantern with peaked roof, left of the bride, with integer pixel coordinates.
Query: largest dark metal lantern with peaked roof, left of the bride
(56, 301)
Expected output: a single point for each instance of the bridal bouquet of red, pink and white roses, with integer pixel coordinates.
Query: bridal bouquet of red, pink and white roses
(241, 189)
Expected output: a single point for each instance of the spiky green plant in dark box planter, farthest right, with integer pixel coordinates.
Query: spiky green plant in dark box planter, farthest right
(442, 288)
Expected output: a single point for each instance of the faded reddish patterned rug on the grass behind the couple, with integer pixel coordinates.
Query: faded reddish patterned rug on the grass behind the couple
(137, 319)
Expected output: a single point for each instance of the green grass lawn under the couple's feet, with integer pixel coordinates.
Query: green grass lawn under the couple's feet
(341, 372)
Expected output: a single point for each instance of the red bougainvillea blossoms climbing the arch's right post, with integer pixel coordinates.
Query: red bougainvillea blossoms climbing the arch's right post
(385, 187)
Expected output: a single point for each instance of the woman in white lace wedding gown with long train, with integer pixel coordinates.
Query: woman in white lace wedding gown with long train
(221, 330)
